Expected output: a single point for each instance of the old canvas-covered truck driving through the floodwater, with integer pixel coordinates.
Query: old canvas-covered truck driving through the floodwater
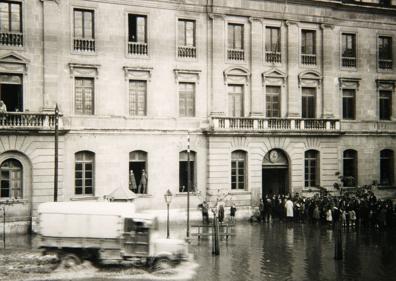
(104, 232)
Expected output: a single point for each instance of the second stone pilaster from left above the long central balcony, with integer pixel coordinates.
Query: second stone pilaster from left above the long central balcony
(256, 59)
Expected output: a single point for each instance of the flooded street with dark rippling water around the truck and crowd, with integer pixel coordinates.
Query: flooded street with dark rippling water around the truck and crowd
(276, 251)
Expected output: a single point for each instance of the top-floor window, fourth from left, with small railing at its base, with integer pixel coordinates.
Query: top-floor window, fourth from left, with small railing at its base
(186, 38)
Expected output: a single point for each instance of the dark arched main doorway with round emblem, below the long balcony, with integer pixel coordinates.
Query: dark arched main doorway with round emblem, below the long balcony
(275, 173)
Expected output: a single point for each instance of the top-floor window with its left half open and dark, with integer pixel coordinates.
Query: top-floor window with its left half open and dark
(137, 35)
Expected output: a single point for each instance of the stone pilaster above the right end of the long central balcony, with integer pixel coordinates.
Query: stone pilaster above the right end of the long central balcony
(330, 96)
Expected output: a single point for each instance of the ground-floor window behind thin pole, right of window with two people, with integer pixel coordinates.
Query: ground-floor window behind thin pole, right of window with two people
(183, 174)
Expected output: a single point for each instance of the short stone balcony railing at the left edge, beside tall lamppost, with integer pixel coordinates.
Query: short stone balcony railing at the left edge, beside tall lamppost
(24, 120)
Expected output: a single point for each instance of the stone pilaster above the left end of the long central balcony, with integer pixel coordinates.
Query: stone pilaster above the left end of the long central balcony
(218, 89)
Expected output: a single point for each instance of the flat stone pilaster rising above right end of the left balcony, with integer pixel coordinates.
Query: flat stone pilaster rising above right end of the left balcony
(51, 16)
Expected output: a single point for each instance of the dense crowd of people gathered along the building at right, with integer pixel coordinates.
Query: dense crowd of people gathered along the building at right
(351, 210)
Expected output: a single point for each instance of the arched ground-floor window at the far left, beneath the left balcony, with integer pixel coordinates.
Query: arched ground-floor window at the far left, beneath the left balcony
(11, 179)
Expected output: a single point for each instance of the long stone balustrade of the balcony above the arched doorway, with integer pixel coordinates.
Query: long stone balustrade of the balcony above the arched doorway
(274, 124)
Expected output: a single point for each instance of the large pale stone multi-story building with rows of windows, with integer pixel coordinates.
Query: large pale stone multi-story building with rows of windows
(277, 97)
